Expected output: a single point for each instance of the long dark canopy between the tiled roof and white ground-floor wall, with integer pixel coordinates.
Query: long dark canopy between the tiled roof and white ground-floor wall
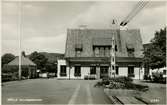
(104, 61)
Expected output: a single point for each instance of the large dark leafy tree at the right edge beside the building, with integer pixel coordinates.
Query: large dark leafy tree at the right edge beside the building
(155, 53)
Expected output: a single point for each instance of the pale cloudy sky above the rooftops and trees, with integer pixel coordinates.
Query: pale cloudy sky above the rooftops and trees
(43, 25)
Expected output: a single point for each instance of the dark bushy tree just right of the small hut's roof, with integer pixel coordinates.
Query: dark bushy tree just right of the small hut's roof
(39, 59)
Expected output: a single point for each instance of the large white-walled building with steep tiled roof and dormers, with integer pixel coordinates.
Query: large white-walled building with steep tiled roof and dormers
(87, 53)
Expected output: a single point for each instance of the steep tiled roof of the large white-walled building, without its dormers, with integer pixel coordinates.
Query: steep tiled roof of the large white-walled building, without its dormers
(89, 37)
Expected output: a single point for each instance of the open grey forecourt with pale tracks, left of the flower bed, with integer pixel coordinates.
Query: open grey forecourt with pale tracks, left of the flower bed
(53, 91)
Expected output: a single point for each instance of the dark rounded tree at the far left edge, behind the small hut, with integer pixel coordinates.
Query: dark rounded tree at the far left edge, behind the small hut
(6, 58)
